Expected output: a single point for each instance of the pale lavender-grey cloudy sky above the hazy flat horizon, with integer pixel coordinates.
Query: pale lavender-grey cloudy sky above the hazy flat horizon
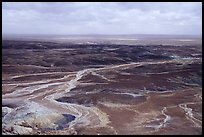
(102, 18)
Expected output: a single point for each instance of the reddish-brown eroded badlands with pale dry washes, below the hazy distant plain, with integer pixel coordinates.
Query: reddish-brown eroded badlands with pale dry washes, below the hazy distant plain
(55, 88)
